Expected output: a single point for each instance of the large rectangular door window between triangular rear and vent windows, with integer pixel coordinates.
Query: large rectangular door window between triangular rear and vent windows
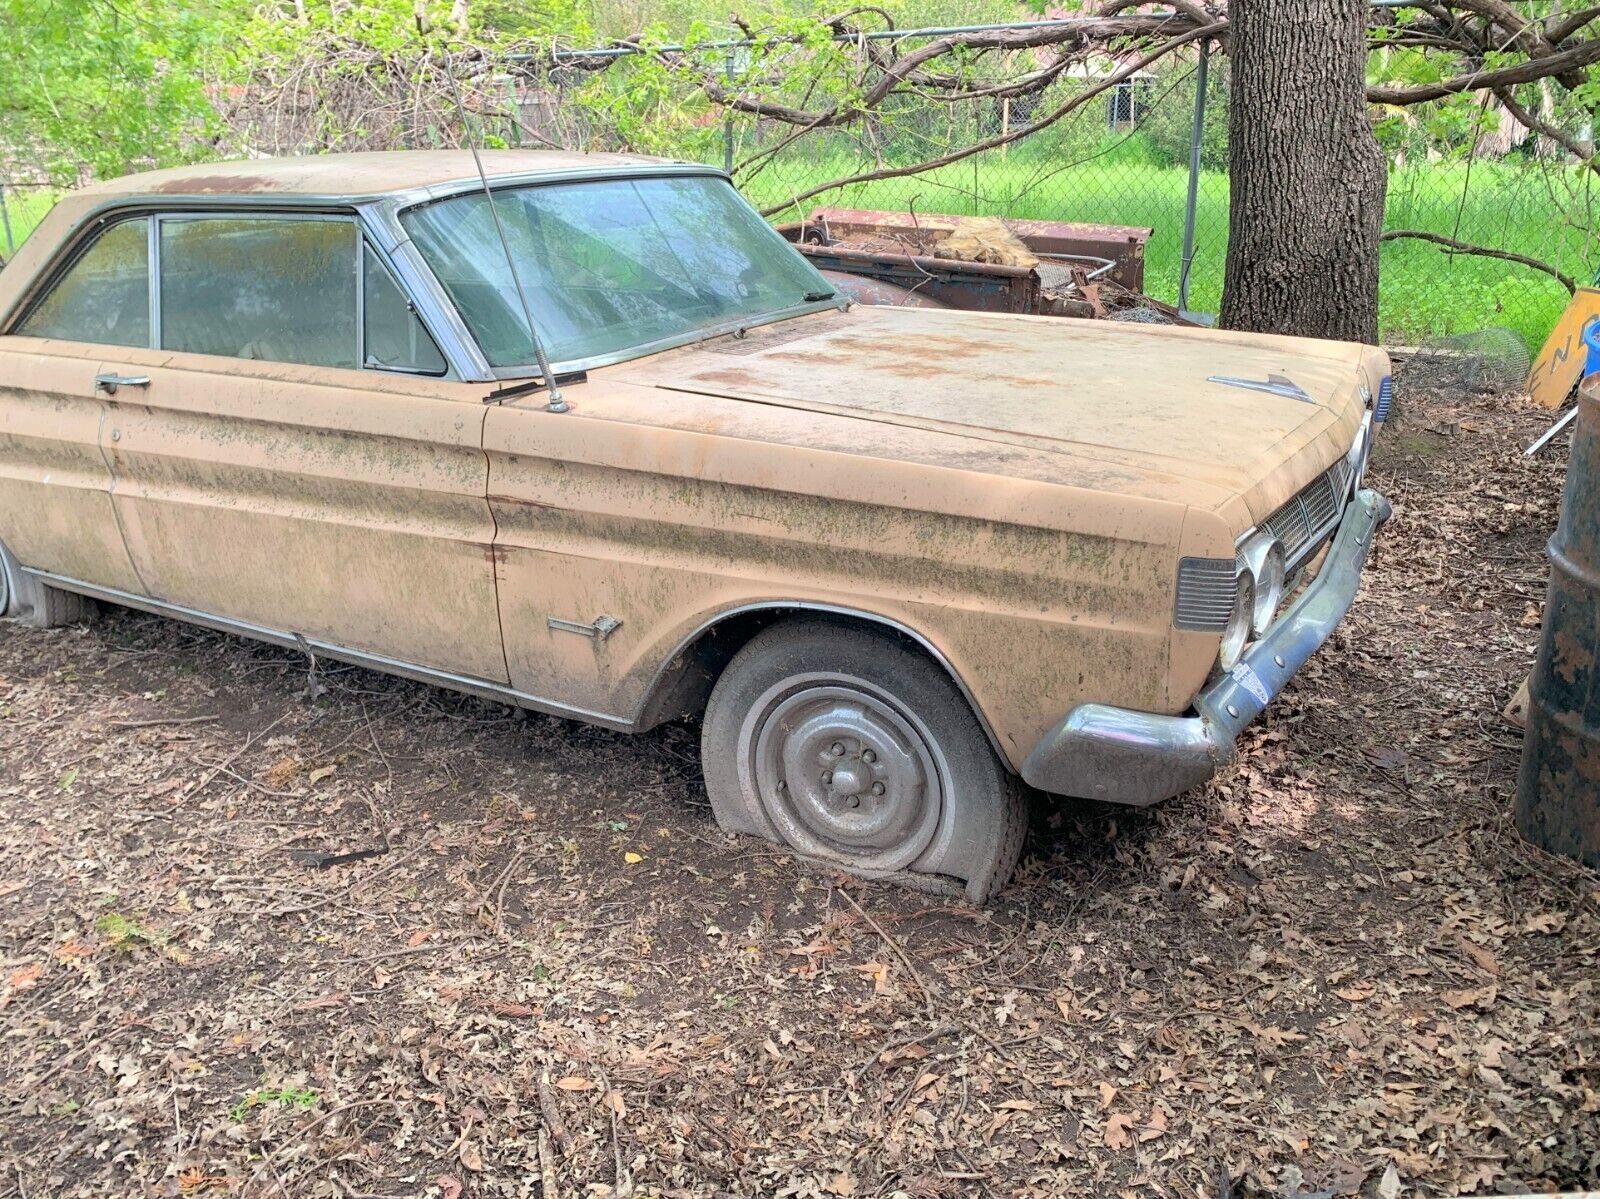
(271, 289)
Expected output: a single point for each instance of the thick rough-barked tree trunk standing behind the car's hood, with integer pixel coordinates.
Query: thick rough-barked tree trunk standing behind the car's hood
(1306, 178)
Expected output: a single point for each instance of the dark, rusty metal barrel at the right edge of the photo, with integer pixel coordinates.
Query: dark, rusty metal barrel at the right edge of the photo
(1559, 787)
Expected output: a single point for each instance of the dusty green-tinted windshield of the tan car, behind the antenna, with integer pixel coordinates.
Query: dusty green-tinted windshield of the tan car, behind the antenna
(609, 265)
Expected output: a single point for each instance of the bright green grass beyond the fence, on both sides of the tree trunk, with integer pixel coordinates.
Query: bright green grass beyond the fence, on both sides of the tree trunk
(1423, 291)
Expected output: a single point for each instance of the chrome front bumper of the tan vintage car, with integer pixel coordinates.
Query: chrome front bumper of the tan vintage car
(1135, 758)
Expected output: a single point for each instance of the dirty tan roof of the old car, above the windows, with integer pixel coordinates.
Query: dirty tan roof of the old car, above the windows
(353, 175)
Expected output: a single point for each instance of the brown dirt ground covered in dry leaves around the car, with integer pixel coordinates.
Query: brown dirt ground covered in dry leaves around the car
(1335, 971)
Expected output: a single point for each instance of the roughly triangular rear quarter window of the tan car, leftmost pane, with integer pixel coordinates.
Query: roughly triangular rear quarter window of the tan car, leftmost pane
(105, 297)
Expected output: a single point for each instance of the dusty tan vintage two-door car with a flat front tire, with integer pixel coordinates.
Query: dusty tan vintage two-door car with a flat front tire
(895, 561)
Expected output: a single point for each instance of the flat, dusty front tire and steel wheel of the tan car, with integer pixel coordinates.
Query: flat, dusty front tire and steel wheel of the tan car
(855, 750)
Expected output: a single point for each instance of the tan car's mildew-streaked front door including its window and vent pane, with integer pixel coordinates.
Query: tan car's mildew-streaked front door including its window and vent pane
(289, 454)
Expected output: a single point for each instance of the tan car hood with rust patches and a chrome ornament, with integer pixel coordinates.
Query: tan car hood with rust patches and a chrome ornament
(1140, 399)
